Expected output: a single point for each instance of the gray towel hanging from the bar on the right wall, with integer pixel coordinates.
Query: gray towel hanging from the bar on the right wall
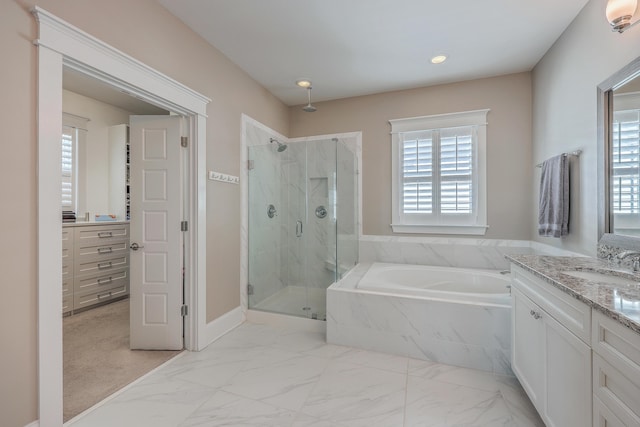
(553, 213)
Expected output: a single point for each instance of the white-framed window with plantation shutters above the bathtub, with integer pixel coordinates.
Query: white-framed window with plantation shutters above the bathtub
(439, 173)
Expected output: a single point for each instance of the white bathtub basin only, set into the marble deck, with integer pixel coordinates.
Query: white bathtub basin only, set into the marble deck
(461, 285)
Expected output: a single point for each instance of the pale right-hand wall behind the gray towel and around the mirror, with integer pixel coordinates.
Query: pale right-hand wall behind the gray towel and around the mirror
(565, 112)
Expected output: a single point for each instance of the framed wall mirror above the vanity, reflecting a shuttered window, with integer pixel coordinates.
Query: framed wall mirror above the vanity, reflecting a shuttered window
(619, 153)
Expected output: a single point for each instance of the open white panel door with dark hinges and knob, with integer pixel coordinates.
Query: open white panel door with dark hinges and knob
(156, 321)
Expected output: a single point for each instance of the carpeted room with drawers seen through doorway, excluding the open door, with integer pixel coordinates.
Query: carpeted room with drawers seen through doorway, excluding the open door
(97, 357)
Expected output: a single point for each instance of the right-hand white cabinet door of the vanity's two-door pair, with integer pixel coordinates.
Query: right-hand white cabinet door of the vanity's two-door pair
(568, 396)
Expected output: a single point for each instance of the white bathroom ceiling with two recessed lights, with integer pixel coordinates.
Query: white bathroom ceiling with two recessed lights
(358, 47)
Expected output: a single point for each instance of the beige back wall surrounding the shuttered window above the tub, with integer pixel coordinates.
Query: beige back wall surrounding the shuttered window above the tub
(509, 161)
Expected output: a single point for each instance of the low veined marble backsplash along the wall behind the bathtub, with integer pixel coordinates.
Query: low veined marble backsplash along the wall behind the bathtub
(449, 252)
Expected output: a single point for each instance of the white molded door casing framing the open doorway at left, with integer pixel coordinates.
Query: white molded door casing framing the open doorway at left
(61, 44)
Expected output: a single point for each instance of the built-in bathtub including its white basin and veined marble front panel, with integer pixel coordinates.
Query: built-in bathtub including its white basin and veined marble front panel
(448, 315)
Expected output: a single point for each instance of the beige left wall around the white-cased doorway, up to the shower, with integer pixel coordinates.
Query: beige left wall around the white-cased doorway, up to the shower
(146, 31)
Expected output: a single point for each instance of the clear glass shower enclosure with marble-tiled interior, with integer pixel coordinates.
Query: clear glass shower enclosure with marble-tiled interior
(302, 224)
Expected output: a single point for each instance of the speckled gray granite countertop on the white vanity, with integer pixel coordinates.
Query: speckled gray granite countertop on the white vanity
(620, 302)
